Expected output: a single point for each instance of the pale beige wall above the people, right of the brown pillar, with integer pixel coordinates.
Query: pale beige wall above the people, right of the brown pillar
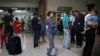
(80, 5)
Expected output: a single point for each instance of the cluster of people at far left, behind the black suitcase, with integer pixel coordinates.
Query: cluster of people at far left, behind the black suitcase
(9, 27)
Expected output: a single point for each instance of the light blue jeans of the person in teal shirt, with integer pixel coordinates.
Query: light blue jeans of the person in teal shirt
(66, 39)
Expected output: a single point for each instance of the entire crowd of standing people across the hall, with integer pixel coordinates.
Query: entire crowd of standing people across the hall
(76, 24)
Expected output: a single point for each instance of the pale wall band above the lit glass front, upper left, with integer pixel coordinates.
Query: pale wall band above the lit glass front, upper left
(17, 4)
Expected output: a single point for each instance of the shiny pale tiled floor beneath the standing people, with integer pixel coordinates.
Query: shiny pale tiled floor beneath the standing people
(28, 50)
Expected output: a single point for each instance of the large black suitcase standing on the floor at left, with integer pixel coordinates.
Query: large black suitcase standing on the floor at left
(14, 45)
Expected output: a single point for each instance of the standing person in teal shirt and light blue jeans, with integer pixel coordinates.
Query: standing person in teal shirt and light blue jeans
(66, 30)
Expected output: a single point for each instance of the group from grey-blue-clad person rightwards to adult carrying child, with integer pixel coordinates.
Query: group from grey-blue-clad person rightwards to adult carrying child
(83, 26)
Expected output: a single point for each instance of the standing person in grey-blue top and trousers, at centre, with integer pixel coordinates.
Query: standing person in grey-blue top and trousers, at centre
(50, 30)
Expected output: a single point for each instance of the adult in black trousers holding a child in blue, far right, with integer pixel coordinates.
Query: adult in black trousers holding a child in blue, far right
(90, 23)
